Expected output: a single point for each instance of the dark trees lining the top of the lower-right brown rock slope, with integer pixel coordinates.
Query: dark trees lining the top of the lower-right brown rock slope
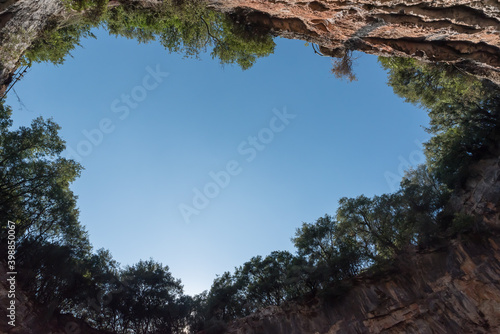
(367, 234)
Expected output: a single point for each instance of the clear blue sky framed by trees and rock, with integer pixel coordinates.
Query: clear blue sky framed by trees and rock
(151, 143)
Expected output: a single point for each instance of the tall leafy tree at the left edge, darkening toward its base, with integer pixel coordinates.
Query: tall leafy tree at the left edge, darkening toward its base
(34, 193)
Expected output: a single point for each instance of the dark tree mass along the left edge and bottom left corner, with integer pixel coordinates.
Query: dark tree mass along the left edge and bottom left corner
(60, 271)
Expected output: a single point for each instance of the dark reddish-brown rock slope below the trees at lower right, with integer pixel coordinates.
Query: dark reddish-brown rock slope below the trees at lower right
(453, 289)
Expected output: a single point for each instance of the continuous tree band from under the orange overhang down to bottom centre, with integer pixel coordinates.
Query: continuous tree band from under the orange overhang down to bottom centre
(367, 233)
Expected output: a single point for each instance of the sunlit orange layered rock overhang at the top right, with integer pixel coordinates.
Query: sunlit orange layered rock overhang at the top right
(464, 32)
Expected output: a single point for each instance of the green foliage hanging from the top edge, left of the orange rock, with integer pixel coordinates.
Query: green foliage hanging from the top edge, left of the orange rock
(188, 28)
